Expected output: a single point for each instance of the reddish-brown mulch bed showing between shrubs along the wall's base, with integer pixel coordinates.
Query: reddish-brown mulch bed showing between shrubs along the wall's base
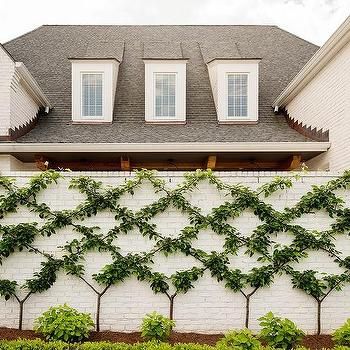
(310, 341)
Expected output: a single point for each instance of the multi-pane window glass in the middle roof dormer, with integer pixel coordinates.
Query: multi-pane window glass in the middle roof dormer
(165, 94)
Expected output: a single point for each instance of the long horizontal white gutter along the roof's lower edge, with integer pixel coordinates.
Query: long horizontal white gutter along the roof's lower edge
(190, 147)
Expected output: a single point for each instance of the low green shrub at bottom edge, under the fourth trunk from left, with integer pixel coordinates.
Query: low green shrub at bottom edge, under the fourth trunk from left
(242, 339)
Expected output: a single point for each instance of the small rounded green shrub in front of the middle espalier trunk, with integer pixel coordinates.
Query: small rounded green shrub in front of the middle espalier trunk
(156, 327)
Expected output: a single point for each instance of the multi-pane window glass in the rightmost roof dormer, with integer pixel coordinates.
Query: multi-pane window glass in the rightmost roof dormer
(237, 95)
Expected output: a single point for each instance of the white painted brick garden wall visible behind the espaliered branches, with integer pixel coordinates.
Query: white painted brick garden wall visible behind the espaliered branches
(209, 307)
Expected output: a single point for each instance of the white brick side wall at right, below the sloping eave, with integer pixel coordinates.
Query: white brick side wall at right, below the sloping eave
(325, 103)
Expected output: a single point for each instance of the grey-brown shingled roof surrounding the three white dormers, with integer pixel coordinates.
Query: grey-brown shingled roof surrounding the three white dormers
(46, 52)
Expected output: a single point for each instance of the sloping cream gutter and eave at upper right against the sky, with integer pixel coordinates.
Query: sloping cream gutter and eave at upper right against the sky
(320, 59)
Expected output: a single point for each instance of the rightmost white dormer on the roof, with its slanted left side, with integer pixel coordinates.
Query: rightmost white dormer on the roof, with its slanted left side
(235, 89)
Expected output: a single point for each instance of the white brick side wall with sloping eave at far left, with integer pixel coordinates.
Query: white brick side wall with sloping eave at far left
(20, 96)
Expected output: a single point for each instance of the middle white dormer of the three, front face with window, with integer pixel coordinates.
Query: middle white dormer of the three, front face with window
(165, 91)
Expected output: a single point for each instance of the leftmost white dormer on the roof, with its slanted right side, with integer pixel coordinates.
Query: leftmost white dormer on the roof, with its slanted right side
(94, 84)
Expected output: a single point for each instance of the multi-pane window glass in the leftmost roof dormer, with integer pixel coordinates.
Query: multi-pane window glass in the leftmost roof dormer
(92, 97)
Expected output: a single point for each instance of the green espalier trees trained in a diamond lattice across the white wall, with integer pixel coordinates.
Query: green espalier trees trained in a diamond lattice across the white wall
(272, 259)
